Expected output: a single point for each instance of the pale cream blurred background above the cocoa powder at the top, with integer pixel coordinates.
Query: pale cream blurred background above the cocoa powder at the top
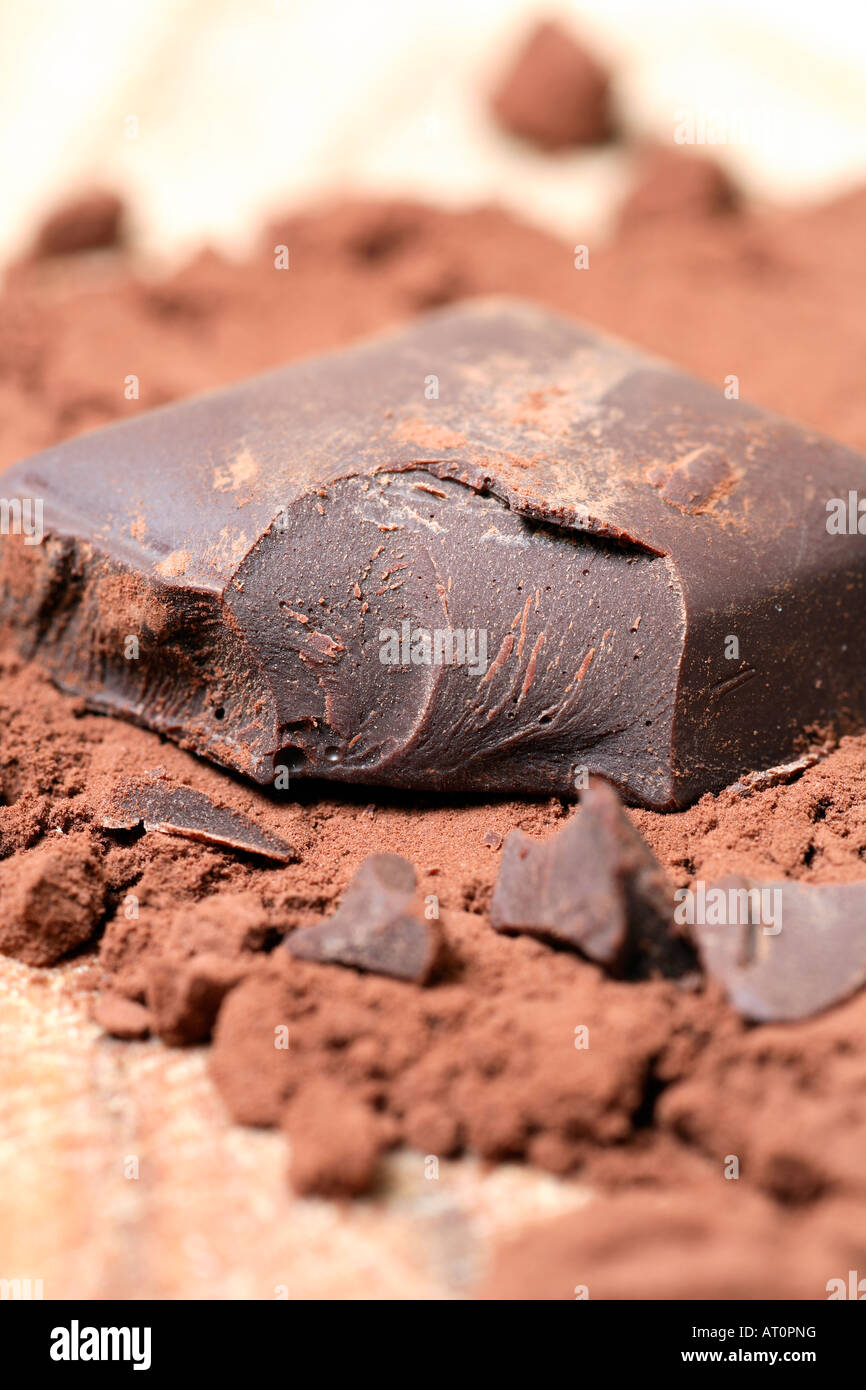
(251, 106)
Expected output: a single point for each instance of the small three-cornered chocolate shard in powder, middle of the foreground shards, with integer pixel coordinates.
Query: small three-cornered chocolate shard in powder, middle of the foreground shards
(379, 926)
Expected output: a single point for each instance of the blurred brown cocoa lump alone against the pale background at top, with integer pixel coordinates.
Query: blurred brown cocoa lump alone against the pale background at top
(555, 95)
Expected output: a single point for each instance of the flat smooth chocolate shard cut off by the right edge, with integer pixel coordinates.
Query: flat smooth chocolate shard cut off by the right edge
(785, 951)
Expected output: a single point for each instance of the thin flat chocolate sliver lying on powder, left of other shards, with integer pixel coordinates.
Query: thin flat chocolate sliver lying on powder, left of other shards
(156, 804)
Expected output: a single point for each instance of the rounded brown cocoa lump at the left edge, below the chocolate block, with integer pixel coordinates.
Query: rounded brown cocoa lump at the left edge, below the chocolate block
(51, 899)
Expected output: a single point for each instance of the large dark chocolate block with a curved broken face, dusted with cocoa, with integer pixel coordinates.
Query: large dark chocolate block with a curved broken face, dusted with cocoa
(493, 553)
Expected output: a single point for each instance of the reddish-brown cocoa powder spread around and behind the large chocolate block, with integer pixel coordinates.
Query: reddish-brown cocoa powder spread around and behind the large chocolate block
(484, 1057)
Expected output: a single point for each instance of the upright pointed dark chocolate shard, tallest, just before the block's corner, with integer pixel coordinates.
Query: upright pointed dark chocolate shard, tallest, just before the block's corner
(596, 888)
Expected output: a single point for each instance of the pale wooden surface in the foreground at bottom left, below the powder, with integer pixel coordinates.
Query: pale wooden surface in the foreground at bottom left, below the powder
(211, 1214)
